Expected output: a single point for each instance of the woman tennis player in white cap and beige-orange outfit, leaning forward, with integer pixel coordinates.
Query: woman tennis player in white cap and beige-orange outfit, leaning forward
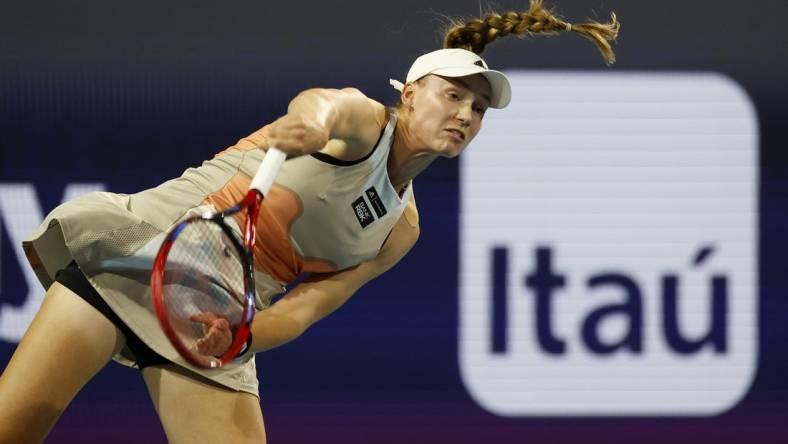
(341, 209)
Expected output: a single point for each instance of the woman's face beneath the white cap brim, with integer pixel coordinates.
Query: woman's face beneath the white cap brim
(447, 112)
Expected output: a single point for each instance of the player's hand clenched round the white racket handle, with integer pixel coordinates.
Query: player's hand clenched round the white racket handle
(296, 135)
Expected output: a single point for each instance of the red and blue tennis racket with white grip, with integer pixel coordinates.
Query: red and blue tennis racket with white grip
(202, 283)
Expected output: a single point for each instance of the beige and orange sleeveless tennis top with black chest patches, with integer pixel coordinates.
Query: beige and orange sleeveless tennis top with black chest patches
(322, 214)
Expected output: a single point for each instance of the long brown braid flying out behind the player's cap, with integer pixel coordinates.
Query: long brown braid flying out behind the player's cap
(475, 34)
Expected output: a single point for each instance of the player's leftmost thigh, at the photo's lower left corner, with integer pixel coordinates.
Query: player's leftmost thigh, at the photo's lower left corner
(67, 343)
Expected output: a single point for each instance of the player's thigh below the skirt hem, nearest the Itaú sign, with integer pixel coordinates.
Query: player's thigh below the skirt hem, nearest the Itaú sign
(195, 410)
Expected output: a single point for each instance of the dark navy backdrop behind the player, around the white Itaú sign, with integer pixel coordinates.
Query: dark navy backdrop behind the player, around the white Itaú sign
(122, 96)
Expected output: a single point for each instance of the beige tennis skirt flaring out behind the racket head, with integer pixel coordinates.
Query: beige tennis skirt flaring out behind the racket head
(115, 248)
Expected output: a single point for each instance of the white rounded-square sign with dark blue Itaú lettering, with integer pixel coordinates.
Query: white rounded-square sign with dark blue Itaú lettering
(608, 237)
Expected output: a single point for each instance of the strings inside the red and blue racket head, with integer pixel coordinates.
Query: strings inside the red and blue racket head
(203, 275)
